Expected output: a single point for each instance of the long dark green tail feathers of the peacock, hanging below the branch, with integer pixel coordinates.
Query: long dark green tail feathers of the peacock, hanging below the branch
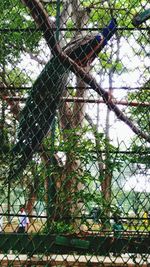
(38, 114)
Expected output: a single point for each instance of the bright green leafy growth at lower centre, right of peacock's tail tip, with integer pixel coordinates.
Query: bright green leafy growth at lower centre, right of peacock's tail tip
(82, 148)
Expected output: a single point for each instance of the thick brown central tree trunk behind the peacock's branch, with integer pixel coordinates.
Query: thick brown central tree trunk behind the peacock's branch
(72, 119)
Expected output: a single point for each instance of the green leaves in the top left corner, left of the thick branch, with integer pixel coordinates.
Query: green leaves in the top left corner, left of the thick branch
(13, 40)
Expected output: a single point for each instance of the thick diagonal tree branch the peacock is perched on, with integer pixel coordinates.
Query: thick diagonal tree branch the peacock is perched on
(47, 27)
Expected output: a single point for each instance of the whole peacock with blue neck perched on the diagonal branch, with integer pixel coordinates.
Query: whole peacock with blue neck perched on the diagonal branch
(39, 111)
